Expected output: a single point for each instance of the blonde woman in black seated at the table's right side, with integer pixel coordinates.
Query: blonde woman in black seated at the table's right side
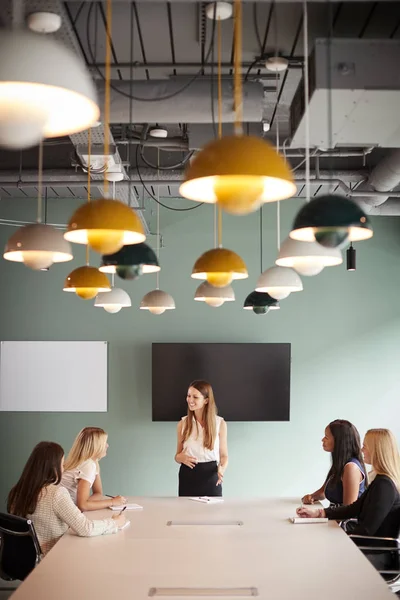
(378, 509)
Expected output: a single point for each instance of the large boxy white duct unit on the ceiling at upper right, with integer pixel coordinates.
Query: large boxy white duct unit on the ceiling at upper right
(354, 95)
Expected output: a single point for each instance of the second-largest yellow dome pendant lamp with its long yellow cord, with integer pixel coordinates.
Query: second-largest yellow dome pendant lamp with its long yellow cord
(105, 224)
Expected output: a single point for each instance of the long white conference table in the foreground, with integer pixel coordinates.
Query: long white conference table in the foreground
(208, 549)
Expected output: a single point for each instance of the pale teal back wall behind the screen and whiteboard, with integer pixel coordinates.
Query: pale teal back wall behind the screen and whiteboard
(344, 330)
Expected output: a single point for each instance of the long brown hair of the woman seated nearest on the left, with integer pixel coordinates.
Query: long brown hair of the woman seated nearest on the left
(42, 469)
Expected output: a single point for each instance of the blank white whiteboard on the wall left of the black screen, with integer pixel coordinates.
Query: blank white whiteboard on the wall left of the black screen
(53, 376)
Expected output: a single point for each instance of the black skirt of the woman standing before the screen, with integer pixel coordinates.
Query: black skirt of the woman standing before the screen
(199, 481)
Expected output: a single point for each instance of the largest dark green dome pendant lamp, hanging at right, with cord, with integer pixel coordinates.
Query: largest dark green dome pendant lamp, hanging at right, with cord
(332, 220)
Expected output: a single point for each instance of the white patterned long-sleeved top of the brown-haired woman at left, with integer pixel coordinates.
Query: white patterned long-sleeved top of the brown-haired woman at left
(55, 512)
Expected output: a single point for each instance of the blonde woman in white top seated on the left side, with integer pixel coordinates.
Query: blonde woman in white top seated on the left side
(82, 474)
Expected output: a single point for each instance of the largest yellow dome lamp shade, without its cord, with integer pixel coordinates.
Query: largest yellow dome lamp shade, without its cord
(238, 172)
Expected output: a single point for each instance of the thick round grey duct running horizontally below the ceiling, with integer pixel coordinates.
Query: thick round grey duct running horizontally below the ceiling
(192, 105)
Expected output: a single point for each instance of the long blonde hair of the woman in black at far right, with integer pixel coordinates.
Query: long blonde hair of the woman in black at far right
(384, 453)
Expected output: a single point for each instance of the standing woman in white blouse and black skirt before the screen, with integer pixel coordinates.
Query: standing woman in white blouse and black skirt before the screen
(202, 449)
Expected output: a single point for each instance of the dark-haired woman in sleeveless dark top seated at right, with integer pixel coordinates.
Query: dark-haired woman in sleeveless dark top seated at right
(347, 477)
